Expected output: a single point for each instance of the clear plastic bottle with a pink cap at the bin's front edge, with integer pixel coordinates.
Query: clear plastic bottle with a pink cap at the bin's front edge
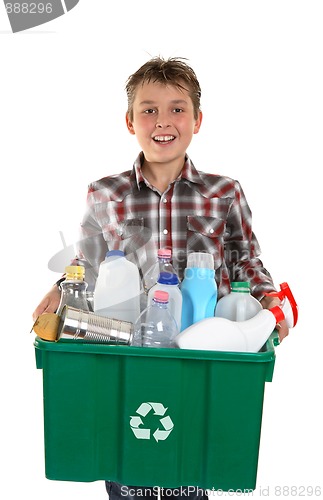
(156, 327)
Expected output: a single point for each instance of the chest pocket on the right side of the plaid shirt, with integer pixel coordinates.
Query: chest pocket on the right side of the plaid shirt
(205, 234)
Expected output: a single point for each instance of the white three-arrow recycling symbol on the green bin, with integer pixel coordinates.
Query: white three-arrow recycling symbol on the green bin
(164, 424)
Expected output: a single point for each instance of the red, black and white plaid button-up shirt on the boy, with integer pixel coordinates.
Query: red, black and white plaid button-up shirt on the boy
(197, 212)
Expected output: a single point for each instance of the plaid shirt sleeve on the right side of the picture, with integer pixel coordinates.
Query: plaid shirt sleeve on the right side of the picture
(242, 249)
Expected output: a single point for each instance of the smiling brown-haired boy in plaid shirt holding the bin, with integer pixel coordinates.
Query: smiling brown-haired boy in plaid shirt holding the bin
(164, 201)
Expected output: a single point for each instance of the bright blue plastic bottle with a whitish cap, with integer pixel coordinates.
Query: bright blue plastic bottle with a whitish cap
(199, 289)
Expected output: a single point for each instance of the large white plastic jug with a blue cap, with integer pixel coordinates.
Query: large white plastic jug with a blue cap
(117, 288)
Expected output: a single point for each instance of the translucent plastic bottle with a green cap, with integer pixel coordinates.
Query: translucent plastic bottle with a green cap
(238, 305)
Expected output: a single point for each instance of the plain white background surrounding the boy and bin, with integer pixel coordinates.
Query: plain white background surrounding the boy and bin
(62, 107)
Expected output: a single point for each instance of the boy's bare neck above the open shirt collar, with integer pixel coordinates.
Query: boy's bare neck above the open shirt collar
(160, 175)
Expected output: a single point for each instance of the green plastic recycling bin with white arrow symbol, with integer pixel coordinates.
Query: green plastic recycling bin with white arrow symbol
(153, 417)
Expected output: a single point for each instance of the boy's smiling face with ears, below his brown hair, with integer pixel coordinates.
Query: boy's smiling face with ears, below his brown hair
(163, 122)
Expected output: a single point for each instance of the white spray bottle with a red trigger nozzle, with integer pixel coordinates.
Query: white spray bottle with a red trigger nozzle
(221, 334)
